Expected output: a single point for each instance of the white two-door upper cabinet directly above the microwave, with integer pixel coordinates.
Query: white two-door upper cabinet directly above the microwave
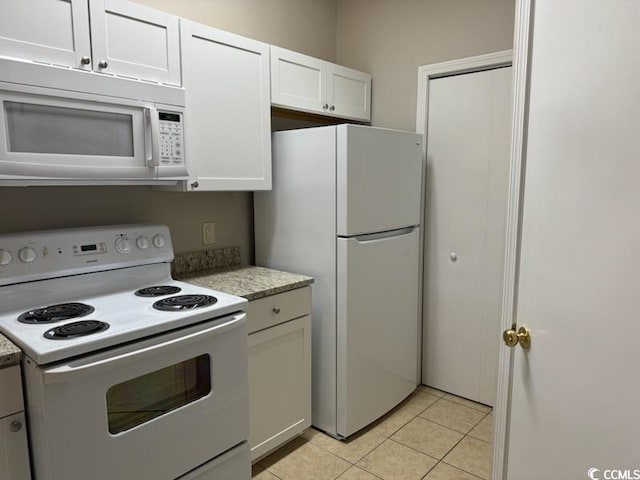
(108, 36)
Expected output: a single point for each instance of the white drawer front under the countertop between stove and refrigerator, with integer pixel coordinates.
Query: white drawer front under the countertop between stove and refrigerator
(269, 311)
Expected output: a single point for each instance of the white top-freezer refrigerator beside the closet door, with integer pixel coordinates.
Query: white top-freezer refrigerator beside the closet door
(345, 209)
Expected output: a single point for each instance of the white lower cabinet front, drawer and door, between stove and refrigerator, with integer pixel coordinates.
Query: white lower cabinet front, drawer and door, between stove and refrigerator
(279, 369)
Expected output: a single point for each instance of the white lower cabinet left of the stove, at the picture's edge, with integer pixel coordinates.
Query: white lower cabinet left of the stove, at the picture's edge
(14, 450)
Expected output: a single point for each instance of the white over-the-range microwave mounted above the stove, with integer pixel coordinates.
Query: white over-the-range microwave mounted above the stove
(57, 137)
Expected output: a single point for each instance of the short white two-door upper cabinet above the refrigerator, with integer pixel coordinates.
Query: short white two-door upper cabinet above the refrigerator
(301, 82)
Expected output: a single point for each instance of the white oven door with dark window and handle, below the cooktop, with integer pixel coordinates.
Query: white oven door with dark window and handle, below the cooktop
(154, 409)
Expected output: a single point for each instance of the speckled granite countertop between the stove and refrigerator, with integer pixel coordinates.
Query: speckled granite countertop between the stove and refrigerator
(246, 281)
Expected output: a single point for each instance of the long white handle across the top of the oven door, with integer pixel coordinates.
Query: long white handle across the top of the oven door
(180, 339)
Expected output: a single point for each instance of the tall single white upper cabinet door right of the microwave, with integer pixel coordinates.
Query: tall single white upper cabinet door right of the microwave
(228, 114)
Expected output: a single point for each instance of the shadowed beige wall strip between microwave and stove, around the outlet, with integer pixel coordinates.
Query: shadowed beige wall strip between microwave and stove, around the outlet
(36, 208)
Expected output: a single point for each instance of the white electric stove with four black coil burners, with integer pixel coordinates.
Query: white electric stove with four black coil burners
(128, 373)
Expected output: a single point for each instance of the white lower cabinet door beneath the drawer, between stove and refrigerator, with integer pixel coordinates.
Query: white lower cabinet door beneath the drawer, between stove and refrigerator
(279, 384)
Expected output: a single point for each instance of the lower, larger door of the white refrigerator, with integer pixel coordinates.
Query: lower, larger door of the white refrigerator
(377, 325)
